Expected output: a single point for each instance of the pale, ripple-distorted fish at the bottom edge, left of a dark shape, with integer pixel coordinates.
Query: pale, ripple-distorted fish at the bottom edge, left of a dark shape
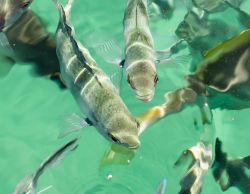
(201, 156)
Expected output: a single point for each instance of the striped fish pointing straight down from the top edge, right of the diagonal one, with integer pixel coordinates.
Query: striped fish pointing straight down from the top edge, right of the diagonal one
(140, 55)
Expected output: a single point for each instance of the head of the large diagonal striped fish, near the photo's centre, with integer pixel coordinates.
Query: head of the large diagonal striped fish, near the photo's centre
(124, 131)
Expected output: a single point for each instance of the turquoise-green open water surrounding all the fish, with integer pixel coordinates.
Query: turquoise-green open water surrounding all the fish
(32, 110)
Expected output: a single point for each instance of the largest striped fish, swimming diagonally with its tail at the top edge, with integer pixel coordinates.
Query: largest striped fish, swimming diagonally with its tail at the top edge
(92, 88)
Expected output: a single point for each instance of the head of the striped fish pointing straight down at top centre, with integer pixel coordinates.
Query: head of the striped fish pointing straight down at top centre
(143, 79)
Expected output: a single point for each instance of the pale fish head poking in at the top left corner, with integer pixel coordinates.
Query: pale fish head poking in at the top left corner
(11, 10)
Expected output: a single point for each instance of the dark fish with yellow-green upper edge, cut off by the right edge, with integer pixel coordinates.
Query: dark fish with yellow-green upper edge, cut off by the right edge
(224, 73)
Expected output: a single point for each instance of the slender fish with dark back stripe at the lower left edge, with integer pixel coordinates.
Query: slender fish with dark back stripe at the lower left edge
(29, 183)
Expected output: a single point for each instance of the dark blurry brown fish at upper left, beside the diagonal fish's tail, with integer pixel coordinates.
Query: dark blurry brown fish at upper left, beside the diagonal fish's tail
(28, 41)
